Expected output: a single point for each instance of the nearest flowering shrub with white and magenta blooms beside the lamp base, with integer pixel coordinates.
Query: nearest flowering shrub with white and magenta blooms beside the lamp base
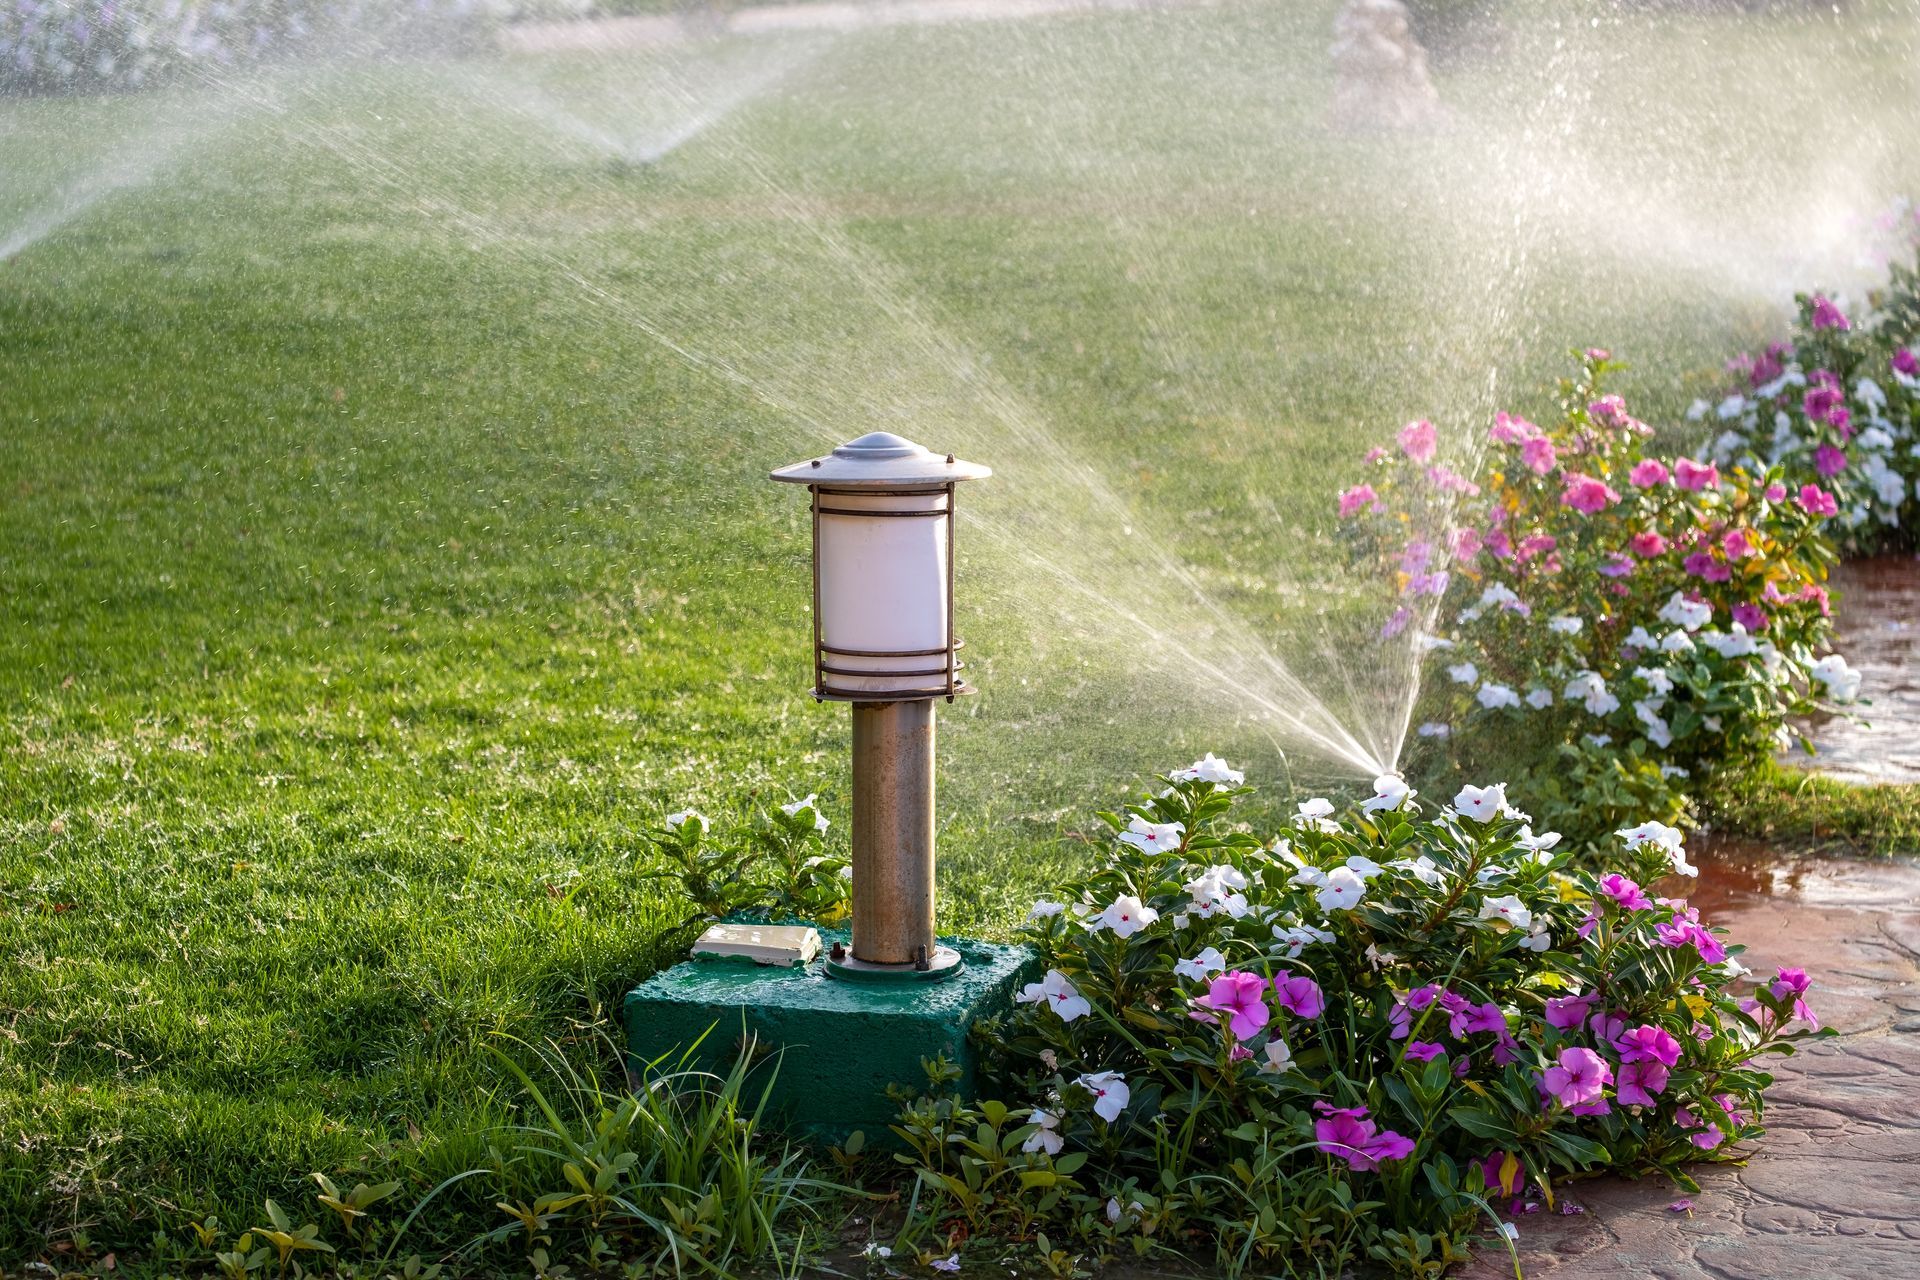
(1353, 1043)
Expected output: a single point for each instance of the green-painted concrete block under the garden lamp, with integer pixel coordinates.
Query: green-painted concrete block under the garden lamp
(844, 1043)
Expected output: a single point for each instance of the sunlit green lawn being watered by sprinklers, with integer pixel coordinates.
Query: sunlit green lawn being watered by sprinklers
(385, 533)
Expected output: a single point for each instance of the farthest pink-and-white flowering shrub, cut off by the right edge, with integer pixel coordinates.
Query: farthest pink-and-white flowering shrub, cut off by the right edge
(1836, 408)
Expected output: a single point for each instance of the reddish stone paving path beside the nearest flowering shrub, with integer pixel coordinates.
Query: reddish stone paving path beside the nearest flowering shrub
(1835, 1189)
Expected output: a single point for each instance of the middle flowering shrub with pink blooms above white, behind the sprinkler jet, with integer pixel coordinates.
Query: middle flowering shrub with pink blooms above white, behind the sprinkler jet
(1606, 625)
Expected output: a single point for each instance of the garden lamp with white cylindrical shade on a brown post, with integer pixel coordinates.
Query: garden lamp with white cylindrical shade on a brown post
(884, 640)
